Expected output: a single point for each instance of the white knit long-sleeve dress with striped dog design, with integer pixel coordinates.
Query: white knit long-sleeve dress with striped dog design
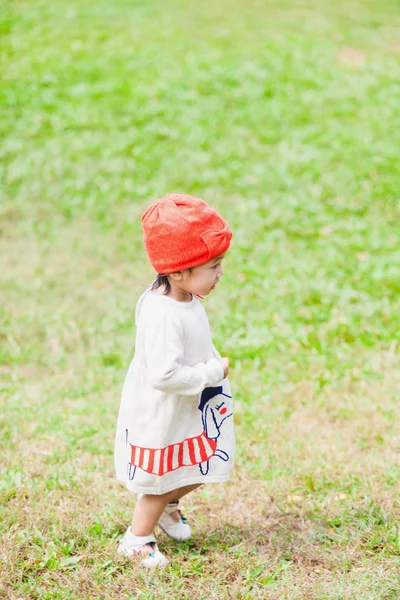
(175, 422)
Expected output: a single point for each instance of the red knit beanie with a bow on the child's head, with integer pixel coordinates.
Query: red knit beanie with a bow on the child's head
(181, 232)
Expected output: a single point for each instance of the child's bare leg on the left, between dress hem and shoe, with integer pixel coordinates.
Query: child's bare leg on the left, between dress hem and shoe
(149, 508)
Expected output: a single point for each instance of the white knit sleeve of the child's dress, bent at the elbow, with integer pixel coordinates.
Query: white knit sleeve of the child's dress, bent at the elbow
(163, 357)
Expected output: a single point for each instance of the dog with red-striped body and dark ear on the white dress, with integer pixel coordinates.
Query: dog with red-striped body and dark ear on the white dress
(198, 450)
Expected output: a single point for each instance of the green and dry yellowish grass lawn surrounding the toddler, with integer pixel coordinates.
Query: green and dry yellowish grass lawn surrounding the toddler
(285, 116)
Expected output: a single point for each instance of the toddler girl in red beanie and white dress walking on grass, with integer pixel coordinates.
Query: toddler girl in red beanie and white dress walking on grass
(175, 423)
